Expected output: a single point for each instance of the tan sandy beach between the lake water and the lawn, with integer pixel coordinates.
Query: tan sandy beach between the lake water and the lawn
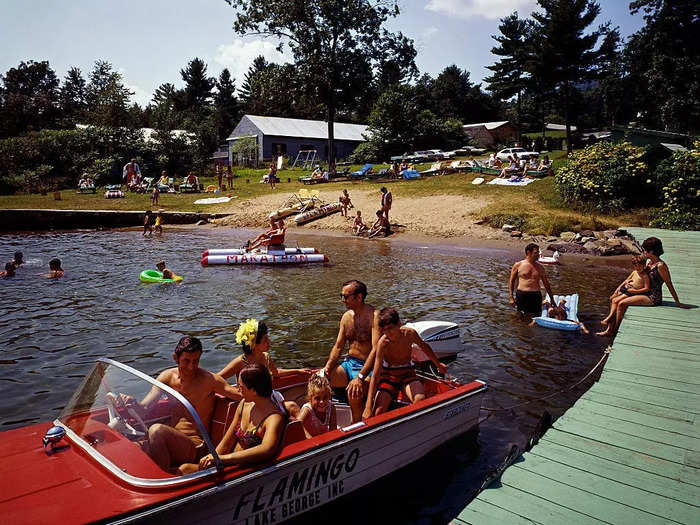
(437, 216)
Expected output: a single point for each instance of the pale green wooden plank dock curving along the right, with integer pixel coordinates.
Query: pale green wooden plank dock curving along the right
(628, 451)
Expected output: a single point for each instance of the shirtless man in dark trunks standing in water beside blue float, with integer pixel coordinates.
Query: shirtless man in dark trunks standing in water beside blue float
(528, 273)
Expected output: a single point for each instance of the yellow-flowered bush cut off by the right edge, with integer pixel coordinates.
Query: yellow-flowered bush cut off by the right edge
(680, 177)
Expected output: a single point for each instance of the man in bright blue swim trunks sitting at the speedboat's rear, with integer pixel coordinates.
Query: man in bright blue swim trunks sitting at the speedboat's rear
(358, 329)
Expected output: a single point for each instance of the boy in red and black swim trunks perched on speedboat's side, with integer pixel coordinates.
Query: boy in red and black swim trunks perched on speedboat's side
(393, 370)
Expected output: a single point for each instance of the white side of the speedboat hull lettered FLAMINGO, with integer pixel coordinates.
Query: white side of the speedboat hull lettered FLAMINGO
(316, 477)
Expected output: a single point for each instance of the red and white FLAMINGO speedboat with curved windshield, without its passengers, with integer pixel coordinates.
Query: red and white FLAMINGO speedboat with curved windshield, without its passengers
(92, 465)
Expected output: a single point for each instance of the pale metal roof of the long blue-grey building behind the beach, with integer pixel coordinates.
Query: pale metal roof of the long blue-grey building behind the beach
(312, 129)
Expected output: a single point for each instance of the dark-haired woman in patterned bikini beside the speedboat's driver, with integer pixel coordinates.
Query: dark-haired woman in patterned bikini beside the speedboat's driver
(256, 433)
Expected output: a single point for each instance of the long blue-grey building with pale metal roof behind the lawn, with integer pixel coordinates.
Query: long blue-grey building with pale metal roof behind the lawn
(275, 136)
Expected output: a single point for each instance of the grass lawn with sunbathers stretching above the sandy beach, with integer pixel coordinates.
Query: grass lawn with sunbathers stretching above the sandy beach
(535, 208)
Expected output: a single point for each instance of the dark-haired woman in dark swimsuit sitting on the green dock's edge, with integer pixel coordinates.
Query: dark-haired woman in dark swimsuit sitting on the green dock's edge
(659, 274)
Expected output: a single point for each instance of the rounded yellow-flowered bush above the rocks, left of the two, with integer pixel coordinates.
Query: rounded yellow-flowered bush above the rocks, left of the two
(607, 177)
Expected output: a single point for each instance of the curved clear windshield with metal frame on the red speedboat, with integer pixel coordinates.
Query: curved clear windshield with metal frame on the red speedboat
(110, 415)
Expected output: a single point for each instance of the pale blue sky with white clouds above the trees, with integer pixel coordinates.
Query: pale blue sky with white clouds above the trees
(150, 41)
